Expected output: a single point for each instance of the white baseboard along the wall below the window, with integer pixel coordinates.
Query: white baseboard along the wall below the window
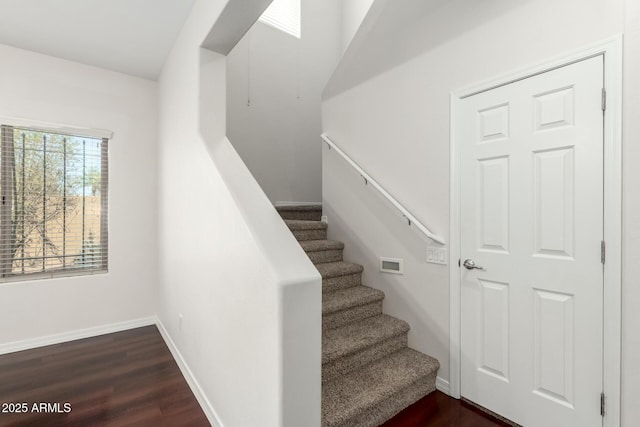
(78, 334)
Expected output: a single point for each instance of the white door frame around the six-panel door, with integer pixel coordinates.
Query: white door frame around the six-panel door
(612, 50)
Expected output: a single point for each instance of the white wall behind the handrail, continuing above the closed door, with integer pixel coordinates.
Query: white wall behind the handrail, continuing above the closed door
(388, 107)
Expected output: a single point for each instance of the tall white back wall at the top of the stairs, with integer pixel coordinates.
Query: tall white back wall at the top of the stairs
(277, 135)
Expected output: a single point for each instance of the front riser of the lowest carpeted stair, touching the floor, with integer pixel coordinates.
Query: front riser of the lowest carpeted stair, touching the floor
(378, 414)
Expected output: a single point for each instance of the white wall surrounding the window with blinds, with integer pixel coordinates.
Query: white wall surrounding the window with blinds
(43, 88)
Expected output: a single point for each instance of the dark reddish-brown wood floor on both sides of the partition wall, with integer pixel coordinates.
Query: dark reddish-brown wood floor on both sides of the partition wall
(130, 379)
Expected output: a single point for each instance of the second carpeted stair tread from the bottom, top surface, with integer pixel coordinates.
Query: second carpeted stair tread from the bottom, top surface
(356, 336)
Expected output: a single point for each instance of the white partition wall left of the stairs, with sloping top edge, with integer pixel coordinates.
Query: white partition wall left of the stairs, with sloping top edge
(249, 298)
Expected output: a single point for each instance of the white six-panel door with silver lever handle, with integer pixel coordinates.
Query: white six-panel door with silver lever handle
(531, 161)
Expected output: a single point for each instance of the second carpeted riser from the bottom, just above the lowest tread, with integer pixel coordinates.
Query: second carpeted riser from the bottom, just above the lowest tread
(349, 363)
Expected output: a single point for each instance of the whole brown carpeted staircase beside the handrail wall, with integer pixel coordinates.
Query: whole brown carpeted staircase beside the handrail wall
(368, 372)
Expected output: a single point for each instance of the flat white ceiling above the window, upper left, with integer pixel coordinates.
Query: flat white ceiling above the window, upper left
(129, 36)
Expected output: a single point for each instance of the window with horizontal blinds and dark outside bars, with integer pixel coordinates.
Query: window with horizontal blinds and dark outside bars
(53, 211)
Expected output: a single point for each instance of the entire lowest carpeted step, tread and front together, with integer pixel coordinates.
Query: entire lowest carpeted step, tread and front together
(374, 393)
